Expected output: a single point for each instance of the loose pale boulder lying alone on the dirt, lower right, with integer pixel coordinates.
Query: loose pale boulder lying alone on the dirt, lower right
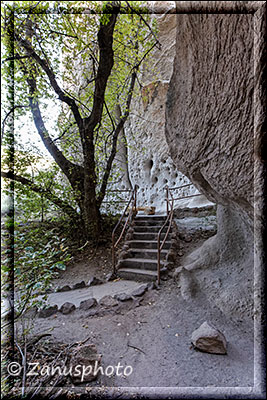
(208, 339)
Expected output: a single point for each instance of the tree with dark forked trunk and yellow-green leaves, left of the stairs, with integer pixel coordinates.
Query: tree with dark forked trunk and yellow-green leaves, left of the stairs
(84, 58)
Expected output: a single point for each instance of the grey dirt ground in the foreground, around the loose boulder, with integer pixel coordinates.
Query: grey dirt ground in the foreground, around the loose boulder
(153, 337)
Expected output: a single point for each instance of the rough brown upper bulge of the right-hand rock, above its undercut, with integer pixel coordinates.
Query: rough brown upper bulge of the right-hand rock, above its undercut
(209, 106)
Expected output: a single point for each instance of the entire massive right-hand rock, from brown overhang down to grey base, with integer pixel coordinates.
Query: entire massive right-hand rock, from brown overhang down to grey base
(209, 130)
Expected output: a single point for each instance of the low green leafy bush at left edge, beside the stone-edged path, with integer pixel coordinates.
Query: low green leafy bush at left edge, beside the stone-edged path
(40, 253)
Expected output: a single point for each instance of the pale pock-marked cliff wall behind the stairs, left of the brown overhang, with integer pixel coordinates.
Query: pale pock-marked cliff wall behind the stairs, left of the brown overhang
(149, 163)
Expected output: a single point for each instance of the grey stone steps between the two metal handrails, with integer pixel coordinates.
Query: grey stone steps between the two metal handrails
(138, 258)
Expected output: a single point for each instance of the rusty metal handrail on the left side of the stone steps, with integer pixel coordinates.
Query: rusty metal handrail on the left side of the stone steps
(129, 218)
